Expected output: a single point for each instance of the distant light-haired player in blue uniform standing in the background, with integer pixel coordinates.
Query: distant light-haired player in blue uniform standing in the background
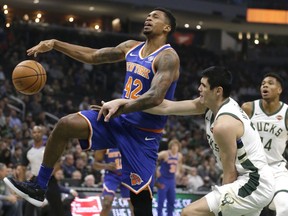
(170, 162)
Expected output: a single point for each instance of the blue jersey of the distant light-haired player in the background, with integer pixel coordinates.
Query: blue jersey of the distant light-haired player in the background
(168, 168)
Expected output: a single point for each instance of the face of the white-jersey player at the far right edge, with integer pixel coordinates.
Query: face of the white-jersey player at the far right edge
(270, 88)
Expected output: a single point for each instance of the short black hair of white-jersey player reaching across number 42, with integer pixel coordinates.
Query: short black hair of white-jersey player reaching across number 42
(219, 76)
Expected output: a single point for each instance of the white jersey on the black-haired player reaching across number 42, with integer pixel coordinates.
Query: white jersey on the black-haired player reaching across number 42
(250, 153)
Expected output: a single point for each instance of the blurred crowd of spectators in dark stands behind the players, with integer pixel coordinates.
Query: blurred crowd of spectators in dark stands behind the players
(73, 86)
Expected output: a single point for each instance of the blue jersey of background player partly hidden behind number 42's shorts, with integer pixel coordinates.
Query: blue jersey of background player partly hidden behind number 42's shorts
(113, 156)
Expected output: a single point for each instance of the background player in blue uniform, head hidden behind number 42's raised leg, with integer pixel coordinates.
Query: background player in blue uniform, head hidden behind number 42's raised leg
(110, 161)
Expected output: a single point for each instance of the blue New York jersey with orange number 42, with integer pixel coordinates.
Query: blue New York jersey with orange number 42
(139, 75)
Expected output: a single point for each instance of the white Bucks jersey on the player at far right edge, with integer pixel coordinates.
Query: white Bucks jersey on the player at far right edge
(272, 129)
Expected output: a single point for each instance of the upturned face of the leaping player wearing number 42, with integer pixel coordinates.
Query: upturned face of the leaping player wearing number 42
(155, 23)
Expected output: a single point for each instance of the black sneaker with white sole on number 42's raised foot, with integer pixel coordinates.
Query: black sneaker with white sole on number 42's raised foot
(28, 190)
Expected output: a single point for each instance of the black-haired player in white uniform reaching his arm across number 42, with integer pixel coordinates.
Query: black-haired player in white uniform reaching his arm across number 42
(248, 182)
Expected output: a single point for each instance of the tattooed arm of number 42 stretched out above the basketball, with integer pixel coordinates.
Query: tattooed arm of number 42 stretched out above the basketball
(84, 54)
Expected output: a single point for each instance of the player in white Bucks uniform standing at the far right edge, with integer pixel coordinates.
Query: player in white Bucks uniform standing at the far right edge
(269, 116)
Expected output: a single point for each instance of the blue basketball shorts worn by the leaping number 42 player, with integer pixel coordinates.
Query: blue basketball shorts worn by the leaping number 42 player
(138, 148)
